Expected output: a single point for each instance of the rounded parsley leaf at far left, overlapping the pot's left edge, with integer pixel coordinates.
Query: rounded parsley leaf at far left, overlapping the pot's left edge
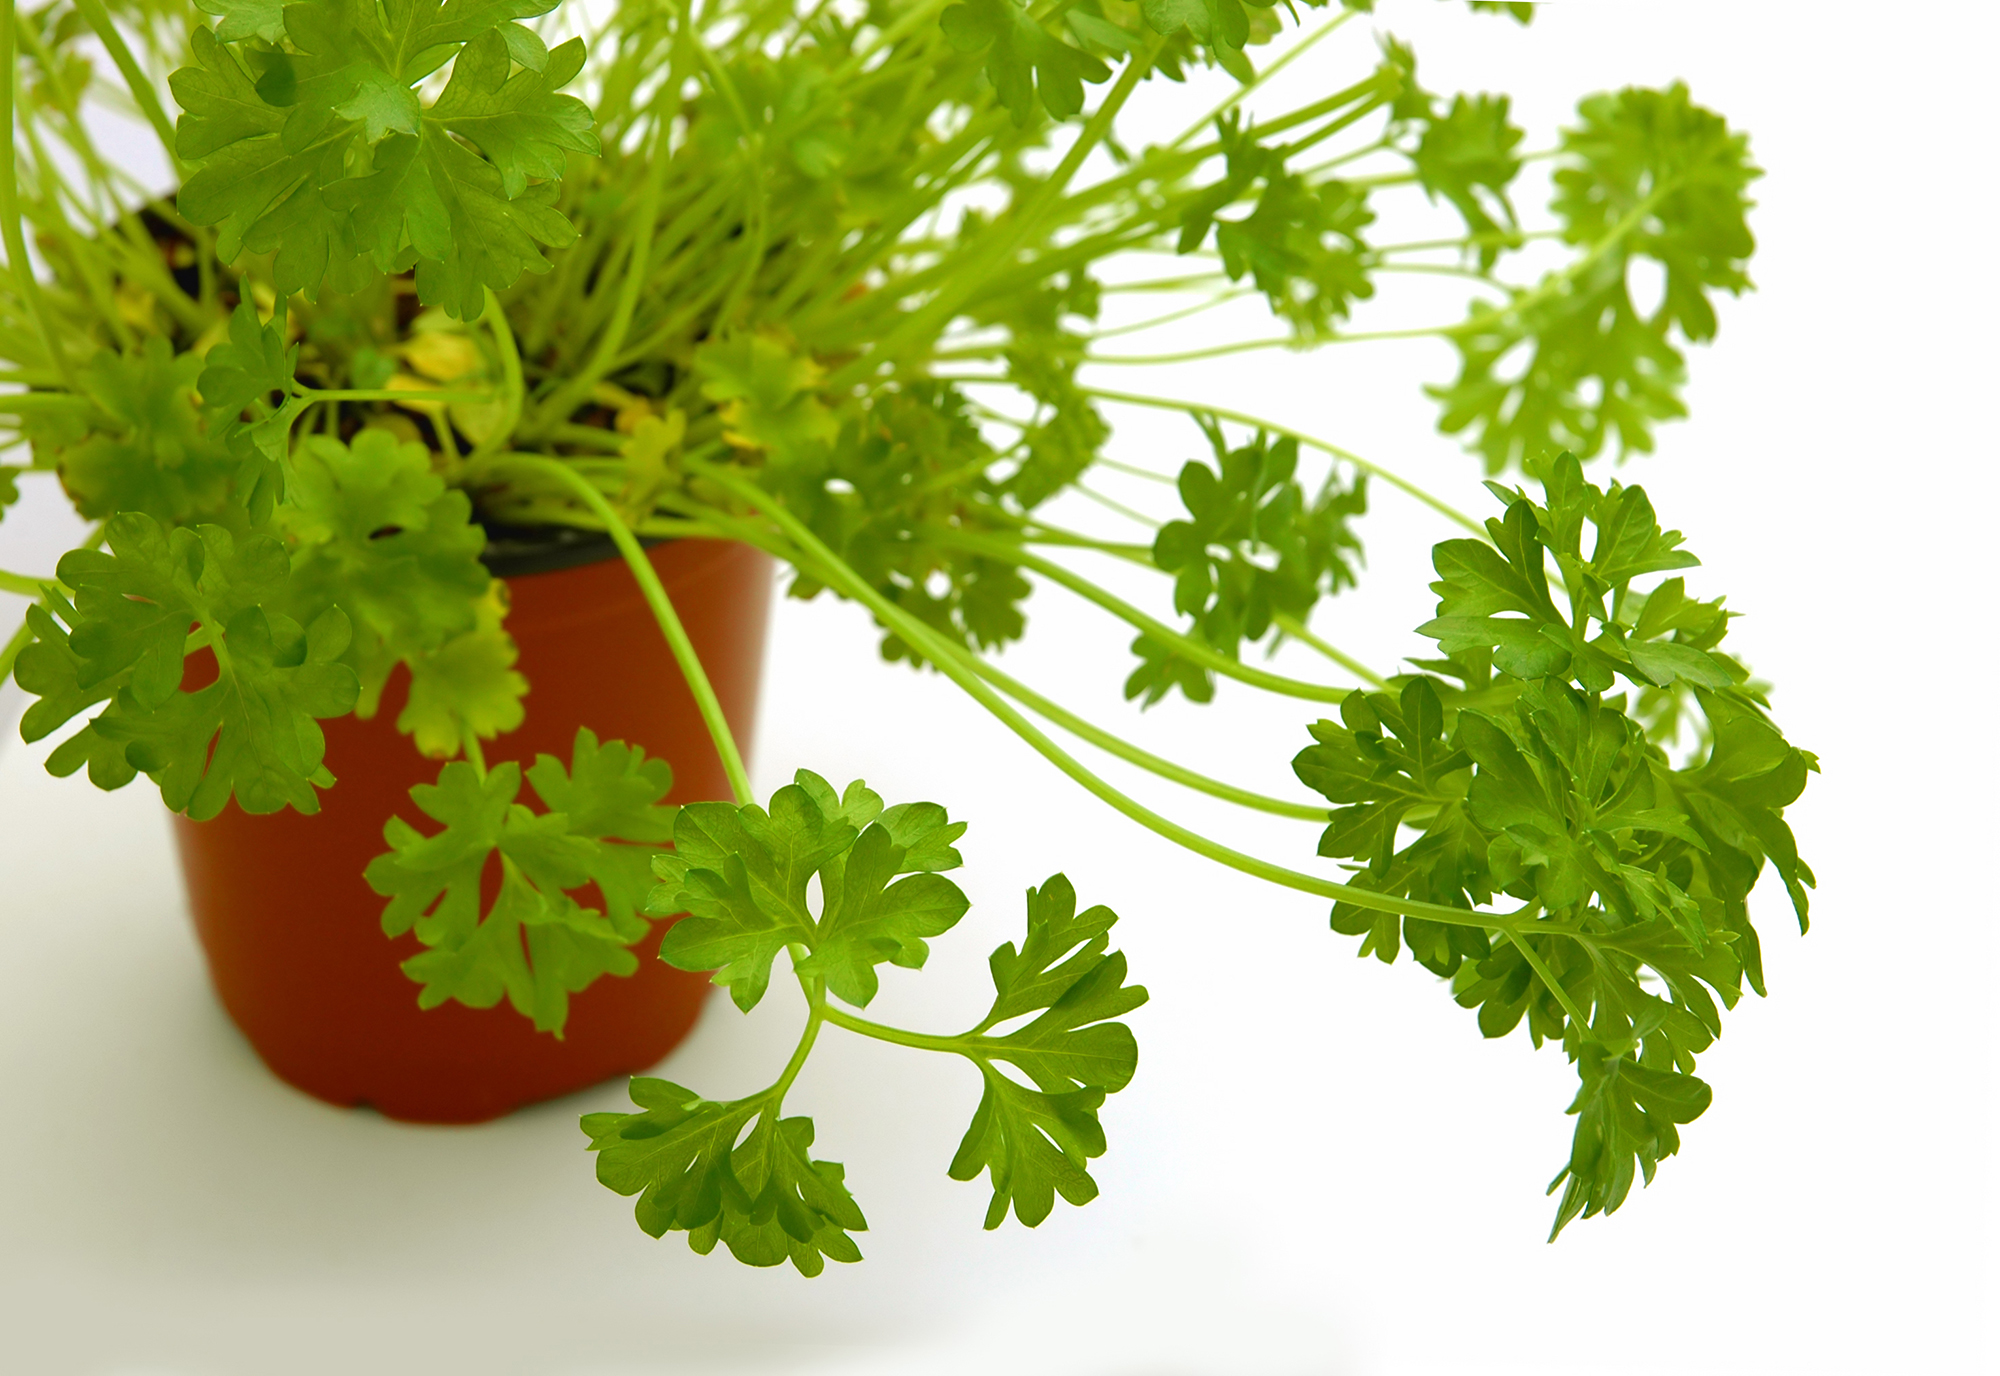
(251, 733)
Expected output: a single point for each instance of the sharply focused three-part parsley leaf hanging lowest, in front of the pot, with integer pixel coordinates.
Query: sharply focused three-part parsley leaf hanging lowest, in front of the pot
(741, 1173)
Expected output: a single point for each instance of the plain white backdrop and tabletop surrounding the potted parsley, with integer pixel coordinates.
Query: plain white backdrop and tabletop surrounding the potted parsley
(1321, 1167)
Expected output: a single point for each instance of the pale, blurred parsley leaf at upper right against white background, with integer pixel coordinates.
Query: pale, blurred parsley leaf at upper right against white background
(1647, 175)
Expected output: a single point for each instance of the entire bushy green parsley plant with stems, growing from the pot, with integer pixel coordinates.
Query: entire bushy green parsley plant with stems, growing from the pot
(829, 281)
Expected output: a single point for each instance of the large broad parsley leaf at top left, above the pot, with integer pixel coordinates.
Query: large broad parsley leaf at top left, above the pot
(323, 151)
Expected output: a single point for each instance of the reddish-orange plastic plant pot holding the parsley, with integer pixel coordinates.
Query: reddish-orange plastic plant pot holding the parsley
(293, 933)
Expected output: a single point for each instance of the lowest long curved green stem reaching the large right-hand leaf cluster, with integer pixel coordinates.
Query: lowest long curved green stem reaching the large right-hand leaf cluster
(949, 661)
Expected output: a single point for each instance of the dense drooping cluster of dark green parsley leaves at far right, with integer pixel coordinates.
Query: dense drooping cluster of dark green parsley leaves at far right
(1537, 785)
